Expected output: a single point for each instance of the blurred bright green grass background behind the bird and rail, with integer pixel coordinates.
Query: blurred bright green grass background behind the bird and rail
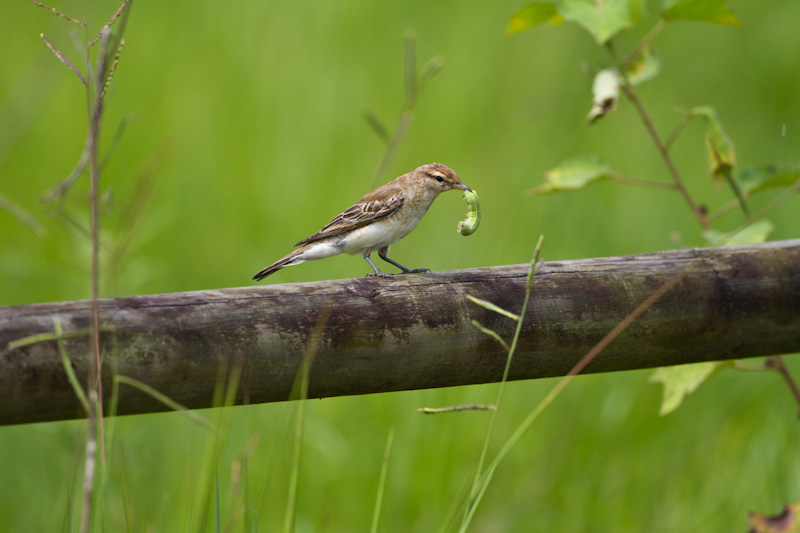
(260, 104)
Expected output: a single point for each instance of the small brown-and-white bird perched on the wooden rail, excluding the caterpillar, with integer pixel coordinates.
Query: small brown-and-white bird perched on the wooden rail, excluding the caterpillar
(381, 218)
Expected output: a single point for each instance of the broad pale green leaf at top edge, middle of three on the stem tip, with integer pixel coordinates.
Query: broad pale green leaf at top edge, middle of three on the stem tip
(602, 18)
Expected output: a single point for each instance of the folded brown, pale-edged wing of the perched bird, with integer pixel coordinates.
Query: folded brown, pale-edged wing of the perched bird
(376, 205)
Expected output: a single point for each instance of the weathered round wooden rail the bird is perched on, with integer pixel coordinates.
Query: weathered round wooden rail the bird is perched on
(378, 335)
